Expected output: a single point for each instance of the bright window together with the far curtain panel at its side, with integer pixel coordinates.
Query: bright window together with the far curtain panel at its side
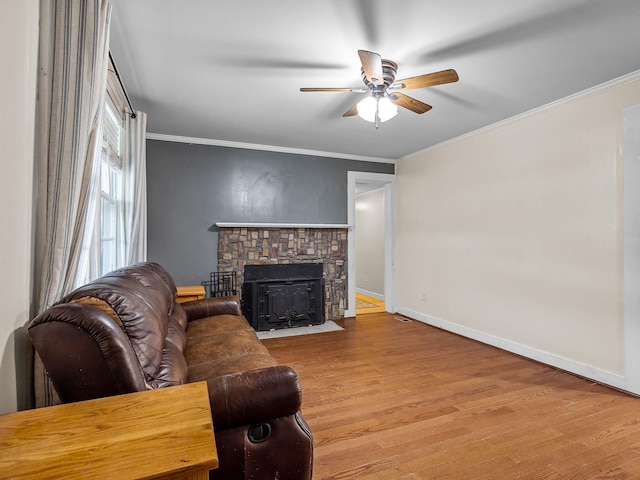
(118, 190)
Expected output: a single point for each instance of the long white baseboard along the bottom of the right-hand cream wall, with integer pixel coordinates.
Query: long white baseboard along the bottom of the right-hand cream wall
(597, 375)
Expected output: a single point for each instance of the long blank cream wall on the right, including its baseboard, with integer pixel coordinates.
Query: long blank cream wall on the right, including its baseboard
(515, 233)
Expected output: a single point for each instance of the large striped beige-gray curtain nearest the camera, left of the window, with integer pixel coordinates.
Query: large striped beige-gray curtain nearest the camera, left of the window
(72, 85)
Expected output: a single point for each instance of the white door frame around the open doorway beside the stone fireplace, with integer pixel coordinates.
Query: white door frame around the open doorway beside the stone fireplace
(388, 182)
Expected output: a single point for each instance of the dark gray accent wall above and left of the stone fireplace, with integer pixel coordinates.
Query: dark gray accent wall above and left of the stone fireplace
(190, 187)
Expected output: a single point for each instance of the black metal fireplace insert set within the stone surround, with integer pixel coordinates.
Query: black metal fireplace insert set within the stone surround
(278, 296)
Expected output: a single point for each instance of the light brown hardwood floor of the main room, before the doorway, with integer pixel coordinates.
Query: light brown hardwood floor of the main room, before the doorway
(389, 400)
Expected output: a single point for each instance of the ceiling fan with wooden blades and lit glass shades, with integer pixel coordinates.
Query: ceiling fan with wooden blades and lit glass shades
(383, 90)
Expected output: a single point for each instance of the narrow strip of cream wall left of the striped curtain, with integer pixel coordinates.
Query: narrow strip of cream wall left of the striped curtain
(18, 56)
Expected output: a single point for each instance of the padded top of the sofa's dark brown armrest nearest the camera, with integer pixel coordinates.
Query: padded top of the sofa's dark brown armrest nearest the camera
(254, 396)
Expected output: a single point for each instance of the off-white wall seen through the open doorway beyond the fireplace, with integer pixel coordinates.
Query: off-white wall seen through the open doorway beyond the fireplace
(370, 243)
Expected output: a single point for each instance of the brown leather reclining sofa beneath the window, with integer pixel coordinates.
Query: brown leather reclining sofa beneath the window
(125, 333)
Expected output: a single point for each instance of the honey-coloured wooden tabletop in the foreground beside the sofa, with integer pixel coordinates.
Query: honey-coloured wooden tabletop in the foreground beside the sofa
(160, 434)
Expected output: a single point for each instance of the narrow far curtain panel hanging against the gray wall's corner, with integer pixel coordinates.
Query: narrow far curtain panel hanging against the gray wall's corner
(135, 173)
